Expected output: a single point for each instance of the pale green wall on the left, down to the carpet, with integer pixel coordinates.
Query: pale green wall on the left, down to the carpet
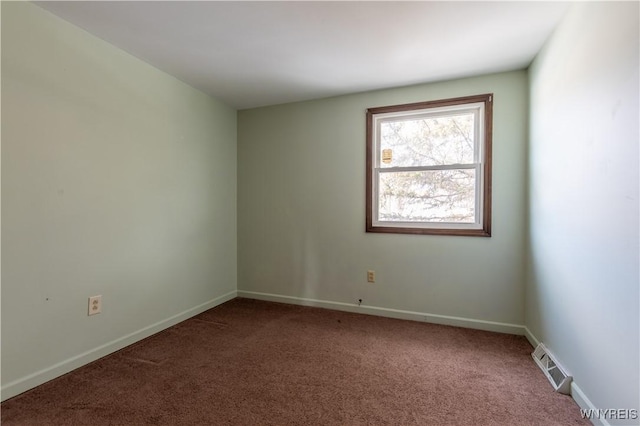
(117, 179)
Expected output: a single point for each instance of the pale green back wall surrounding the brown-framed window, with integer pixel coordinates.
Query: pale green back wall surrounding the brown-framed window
(301, 210)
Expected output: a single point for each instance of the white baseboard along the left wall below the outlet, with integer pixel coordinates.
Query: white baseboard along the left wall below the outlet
(31, 381)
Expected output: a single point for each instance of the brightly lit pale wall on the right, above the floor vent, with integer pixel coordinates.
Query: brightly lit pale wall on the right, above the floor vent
(583, 280)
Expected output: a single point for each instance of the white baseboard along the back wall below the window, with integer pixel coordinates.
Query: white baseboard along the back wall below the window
(390, 313)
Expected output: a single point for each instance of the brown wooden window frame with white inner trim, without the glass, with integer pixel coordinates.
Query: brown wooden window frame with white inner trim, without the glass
(484, 228)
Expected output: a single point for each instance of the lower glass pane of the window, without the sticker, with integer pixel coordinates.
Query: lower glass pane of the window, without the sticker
(427, 196)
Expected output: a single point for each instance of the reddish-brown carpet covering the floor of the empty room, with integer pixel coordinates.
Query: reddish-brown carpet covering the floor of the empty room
(249, 362)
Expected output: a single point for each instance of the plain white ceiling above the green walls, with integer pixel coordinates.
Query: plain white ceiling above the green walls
(251, 54)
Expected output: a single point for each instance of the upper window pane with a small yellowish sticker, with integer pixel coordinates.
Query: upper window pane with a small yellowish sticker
(428, 141)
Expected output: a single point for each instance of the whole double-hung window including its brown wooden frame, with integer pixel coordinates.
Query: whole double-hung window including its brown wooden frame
(429, 167)
